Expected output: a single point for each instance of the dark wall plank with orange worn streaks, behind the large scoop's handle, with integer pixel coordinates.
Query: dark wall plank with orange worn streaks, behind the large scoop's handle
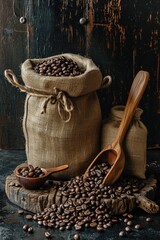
(123, 37)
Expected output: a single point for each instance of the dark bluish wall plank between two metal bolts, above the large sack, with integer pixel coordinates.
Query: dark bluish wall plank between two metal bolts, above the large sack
(54, 27)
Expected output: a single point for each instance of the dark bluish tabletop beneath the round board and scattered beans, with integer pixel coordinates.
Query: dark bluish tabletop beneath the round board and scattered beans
(11, 222)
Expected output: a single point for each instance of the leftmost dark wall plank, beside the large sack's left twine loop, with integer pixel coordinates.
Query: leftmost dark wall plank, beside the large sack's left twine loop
(13, 49)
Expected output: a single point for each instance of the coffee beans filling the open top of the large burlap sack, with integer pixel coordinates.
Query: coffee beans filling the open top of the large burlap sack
(58, 66)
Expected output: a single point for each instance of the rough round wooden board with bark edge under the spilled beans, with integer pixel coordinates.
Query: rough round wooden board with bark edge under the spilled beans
(36, 200)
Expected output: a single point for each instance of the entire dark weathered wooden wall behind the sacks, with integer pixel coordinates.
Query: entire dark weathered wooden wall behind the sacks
(121, 36)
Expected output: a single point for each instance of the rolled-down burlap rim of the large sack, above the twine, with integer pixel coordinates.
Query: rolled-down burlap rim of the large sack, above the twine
(89, 81)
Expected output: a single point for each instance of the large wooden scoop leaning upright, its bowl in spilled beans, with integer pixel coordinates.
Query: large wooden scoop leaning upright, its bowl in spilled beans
(113, 154)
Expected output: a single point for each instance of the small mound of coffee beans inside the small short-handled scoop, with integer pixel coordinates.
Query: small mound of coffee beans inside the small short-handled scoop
(31, 172)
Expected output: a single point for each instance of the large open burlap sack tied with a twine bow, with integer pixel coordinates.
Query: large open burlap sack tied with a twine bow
(62, 117)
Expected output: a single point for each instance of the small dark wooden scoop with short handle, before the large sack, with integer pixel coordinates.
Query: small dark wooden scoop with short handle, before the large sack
(35, 183)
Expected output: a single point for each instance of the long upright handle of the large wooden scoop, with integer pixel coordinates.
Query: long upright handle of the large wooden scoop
(137, 89)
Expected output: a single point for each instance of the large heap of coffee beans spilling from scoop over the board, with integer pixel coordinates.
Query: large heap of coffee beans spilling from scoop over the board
(84, 206)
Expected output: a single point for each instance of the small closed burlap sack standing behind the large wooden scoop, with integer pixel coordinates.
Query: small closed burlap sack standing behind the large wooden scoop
(134, 144)
